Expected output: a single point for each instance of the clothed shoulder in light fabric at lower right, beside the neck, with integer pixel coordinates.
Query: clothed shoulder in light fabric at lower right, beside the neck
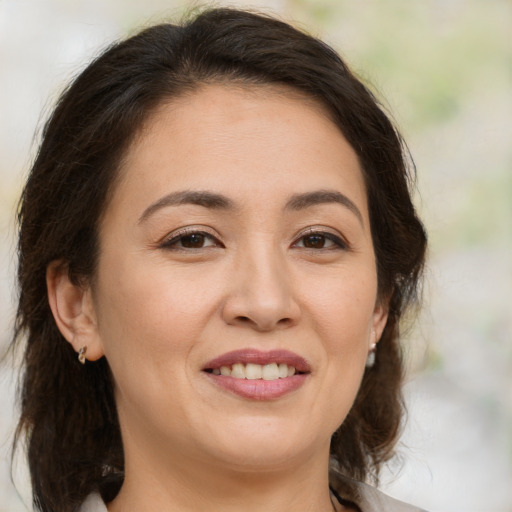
(366, 497)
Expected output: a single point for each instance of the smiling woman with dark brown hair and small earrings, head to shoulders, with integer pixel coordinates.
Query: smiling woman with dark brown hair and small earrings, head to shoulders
(218, 226)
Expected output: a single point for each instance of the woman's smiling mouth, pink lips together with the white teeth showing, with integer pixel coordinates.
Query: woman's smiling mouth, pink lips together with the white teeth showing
(258, 375)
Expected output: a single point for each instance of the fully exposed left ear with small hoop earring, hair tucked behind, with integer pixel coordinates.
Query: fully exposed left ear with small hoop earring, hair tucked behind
(73, 310)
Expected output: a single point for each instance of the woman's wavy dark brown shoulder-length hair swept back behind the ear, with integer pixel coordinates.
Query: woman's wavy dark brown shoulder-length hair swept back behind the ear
(68, 413)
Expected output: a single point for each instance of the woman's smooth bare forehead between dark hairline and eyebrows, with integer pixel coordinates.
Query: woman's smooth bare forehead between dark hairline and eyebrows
(250, 140)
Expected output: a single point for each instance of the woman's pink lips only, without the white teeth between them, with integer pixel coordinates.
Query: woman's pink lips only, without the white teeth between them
(259, 389)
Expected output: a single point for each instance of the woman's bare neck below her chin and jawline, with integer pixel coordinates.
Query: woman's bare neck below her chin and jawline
(187, 486)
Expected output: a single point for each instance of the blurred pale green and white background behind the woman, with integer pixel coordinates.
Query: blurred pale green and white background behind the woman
(444, 70)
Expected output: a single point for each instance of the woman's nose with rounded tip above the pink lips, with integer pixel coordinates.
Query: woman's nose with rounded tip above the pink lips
(261, 293)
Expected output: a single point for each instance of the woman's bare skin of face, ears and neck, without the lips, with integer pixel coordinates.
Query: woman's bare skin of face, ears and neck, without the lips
(258, 279)
